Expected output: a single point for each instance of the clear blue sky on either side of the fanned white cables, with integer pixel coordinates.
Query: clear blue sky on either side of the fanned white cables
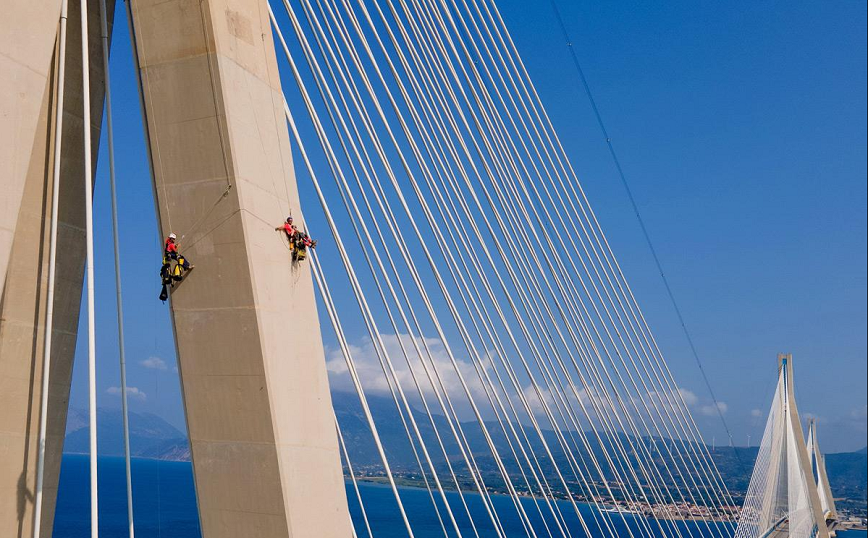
(742, 133)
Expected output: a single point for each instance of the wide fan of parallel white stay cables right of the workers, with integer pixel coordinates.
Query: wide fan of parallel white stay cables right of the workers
(473, 285)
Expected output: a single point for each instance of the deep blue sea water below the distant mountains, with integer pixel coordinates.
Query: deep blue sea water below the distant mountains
(165, 505)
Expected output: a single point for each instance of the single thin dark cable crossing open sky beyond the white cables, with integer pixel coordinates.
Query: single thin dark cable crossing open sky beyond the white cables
(645, 233)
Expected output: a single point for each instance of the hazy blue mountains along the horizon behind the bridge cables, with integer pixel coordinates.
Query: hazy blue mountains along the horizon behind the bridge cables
(152, 437)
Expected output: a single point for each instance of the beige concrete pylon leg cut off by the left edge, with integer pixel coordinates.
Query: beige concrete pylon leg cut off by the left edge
(28, 85)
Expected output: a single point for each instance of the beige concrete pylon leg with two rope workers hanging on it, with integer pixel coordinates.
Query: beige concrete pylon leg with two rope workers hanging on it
(251, 360)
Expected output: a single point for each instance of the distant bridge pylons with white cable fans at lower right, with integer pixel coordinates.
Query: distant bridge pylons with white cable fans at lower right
(783, 498)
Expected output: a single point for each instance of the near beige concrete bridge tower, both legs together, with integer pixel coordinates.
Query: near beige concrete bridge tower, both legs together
(255, 388)
